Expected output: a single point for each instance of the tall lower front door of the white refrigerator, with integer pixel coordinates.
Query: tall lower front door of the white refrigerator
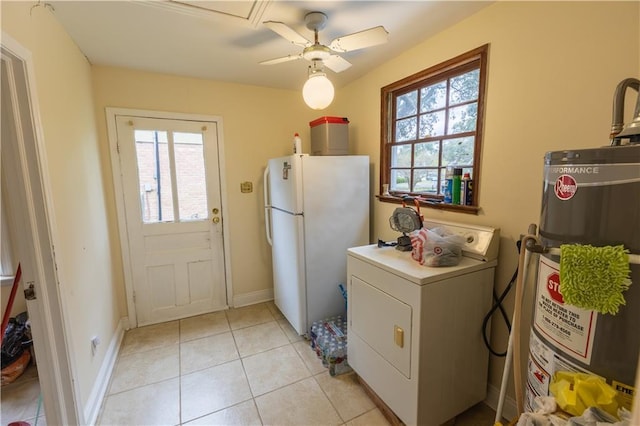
(289, 288)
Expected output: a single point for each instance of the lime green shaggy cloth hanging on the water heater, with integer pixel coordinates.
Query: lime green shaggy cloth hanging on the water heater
(594, 277)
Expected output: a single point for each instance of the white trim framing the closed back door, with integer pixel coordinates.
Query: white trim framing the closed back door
(111, 114)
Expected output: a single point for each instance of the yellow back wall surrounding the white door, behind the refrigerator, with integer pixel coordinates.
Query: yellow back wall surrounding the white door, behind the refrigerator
(258, 124)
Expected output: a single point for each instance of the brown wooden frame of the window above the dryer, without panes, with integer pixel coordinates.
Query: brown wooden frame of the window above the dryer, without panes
(476, 58)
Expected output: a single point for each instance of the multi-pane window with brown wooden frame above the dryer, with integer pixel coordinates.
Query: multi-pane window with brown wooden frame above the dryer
(432, 122)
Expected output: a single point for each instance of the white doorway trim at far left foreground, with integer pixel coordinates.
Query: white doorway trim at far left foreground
(57, 374)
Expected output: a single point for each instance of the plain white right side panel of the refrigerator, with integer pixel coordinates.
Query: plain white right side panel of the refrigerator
(336, 217)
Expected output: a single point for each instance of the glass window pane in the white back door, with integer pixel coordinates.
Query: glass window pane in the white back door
(171, 163)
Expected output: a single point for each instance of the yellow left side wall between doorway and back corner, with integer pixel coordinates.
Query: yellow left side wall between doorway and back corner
(75, 176)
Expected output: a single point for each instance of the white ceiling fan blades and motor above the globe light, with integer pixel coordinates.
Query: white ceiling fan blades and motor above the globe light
(316, 52)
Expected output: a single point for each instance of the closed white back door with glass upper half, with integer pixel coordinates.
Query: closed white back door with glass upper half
(171, 190)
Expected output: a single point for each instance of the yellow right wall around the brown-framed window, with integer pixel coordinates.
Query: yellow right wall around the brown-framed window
(553, 68)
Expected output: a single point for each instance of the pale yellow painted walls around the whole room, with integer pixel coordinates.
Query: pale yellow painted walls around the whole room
(552, 71)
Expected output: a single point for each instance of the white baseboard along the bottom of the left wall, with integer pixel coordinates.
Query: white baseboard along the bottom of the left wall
(94, 403)
